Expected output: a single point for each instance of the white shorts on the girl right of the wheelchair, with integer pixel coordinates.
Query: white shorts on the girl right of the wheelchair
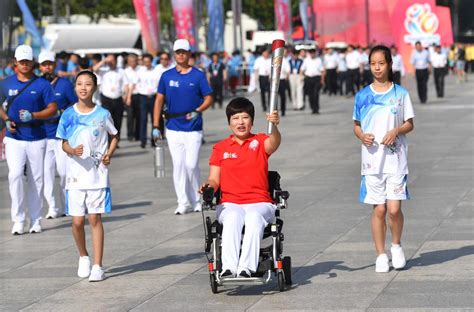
(376, 189)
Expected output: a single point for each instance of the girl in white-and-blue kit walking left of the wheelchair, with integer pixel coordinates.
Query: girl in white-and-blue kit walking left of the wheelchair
(85, 129)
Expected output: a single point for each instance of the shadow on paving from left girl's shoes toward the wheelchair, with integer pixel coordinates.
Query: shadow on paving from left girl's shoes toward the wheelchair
(153, 264)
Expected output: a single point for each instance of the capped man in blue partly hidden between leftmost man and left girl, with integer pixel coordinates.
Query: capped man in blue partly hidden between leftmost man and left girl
(55, 158)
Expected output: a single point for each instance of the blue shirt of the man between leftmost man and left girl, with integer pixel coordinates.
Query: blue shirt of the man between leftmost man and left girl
(65, 97)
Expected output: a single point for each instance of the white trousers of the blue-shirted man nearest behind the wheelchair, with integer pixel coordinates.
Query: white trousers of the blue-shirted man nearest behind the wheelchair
(184, 149)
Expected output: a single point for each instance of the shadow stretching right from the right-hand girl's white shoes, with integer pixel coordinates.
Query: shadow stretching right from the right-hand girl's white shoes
(439, 256)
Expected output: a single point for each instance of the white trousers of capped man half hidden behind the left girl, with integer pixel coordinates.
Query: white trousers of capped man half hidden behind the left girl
(55, 159)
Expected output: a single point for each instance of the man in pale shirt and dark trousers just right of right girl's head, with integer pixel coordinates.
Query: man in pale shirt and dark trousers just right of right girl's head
(420, 59)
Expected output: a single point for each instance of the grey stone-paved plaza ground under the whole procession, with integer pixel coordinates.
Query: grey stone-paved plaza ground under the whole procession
(155, 260)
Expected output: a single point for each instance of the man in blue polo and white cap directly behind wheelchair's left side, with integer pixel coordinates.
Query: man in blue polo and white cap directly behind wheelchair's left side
(187, 94)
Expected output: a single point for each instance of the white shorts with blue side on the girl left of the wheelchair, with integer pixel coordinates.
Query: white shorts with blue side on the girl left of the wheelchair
(94, 201)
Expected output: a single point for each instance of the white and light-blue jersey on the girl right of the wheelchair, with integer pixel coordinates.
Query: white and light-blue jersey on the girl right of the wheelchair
(378, 113)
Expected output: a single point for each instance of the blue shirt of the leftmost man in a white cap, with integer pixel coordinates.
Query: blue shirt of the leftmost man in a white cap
(34, 99)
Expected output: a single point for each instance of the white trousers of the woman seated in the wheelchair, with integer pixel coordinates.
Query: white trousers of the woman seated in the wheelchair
(233, 217)
